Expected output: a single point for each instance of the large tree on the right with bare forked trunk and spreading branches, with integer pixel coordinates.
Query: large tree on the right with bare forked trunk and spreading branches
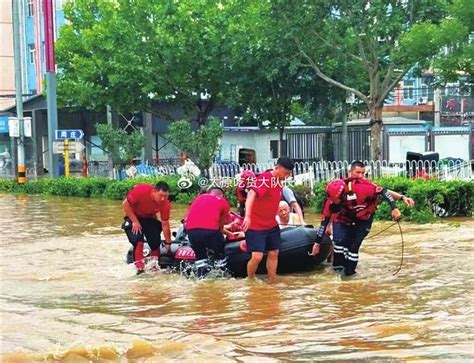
(379, 40)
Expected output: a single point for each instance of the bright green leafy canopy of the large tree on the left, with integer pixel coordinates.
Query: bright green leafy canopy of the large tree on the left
(131, 53)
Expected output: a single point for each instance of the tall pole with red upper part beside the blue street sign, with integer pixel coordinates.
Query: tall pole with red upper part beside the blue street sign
(48, 11)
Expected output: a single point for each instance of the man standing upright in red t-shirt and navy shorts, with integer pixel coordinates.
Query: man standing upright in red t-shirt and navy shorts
(262, 232)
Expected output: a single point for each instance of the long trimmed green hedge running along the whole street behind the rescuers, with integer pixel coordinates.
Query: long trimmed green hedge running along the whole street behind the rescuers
(432, 197)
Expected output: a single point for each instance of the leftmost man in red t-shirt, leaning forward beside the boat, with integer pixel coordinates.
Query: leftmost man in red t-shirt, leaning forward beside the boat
(147, 212)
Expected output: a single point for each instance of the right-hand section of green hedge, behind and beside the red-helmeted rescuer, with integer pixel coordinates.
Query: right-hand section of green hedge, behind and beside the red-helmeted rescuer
(433, 198)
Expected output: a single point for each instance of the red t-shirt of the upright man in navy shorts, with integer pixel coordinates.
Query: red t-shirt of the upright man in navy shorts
(265, 208)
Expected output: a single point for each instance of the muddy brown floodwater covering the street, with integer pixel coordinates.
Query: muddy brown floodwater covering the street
(67, 294)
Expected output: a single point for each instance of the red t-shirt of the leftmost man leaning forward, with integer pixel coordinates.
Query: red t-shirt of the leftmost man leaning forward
(143, 204)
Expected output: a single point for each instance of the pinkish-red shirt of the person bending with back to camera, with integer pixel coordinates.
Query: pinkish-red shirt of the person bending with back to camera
(207, 212)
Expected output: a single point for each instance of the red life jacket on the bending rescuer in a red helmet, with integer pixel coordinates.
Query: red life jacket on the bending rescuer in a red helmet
(362, 198)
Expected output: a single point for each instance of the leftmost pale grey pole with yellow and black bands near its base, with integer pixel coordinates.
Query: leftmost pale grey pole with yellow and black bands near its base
(18, 92)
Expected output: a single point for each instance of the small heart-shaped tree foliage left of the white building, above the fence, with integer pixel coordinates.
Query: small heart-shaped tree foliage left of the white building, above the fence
(201, 145)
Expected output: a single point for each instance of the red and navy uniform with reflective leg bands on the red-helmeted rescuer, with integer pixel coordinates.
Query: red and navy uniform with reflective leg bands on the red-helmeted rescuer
(352, 220)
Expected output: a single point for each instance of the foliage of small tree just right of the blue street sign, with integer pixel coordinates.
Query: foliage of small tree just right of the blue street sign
(121, 146)
